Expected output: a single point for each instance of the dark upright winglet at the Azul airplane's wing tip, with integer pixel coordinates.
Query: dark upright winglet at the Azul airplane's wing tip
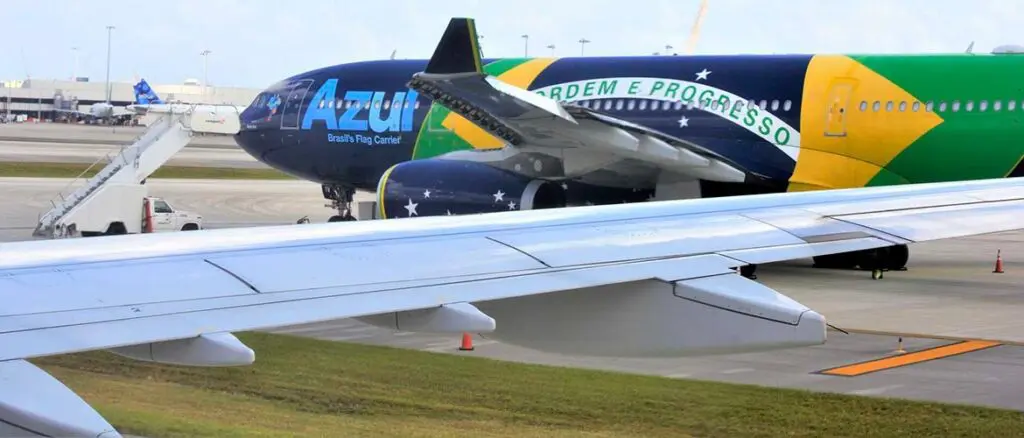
(459, 51)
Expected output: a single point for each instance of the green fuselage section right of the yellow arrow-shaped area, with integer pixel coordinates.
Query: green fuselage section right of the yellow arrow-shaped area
(968, 145)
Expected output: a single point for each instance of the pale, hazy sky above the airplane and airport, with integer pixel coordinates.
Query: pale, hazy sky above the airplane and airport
(254, 43)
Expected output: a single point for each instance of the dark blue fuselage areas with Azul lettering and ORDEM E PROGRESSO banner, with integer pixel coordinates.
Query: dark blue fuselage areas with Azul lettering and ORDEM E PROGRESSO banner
(338, 125)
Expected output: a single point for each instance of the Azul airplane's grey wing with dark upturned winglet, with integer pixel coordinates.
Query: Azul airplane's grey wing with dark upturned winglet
(533, 123)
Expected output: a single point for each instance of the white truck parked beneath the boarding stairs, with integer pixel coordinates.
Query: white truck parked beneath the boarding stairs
(126, 209)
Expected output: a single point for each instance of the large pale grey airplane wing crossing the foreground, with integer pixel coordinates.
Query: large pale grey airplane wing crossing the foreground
(637, 280)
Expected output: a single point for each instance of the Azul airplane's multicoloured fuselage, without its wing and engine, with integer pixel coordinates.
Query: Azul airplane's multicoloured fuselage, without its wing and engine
(817, 121)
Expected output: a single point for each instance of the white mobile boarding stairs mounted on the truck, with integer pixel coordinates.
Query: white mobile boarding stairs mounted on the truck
(133, 164)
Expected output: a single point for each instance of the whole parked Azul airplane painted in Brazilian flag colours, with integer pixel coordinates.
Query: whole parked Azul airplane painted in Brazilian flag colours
(463, 138)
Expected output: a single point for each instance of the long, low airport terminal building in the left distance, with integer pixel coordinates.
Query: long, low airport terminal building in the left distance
(37, 99)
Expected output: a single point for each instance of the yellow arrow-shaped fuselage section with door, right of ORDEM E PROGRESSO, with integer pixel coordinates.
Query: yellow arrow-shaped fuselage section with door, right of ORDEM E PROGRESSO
(862, 143)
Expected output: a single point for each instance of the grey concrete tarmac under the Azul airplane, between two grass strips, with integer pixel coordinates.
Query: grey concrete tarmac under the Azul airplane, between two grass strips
(950, 291)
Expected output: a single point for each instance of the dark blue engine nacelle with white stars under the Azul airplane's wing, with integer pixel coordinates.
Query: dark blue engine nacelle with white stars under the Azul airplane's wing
(439, 188)
